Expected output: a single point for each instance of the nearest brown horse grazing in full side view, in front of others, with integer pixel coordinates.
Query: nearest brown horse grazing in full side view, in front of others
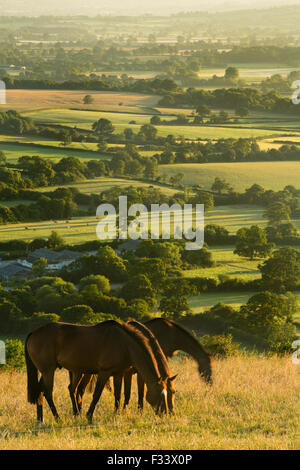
(107, 349)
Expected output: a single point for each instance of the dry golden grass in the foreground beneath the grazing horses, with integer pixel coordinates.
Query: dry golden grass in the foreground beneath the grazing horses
(253, 404)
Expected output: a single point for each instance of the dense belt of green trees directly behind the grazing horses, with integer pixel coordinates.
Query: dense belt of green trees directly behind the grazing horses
(82, 293)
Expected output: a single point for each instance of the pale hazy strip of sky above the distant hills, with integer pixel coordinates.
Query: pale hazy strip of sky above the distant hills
(93, 7)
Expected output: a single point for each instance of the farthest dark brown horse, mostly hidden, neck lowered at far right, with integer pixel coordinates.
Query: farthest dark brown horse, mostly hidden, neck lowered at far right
(172, 338)
